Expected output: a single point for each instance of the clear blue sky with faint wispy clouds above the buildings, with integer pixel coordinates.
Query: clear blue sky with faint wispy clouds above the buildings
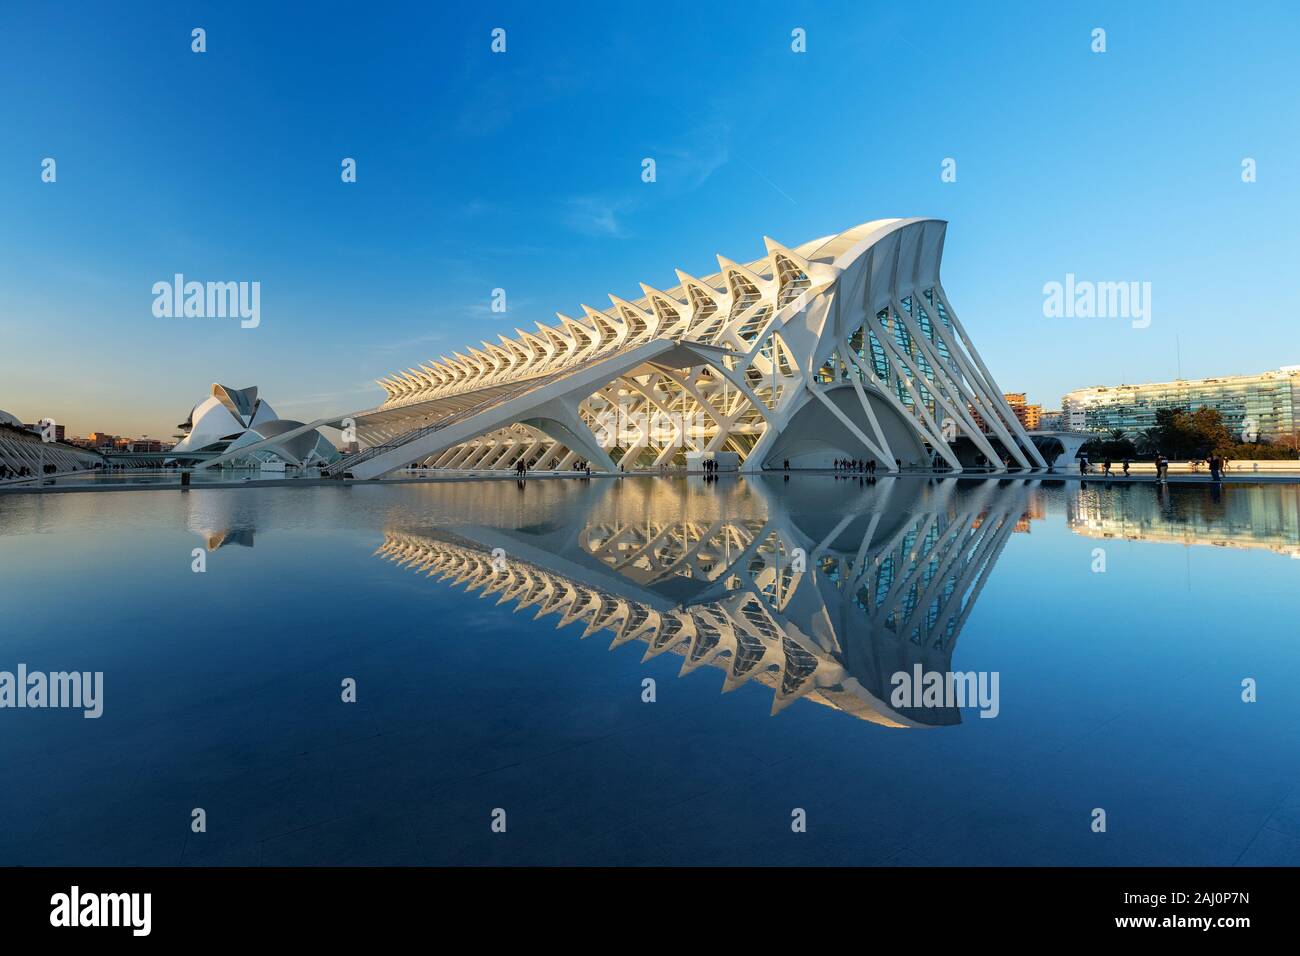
(523, 171)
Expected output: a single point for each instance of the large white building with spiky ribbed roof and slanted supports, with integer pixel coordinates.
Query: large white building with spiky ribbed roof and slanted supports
(846, 347)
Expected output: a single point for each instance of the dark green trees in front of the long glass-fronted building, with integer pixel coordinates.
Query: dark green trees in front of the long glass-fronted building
(1181, 434)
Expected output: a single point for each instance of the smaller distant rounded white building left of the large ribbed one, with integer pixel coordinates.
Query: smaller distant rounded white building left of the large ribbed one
(231, 421)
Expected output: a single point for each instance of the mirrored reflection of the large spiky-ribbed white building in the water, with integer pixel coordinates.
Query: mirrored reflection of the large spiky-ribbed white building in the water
(825, 602)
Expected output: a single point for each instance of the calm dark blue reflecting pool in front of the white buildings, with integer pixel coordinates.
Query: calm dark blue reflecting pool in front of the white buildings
(755, 671)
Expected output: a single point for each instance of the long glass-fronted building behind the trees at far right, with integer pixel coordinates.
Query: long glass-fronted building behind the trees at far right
(1268, 403)
